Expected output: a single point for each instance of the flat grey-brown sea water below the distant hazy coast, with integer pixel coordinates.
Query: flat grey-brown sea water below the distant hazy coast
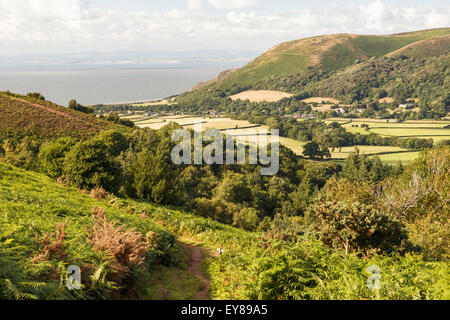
(103, 86)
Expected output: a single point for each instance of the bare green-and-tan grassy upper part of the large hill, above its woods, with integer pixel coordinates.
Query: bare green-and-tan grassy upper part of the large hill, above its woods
(330, 53)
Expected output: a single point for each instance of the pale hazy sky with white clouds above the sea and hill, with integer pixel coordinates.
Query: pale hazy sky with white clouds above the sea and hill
(63, 26)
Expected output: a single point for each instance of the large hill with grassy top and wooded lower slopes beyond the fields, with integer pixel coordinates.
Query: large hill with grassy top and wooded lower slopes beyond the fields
(315, 67)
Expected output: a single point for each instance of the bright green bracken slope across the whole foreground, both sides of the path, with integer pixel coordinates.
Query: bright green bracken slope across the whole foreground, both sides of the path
(35, 252)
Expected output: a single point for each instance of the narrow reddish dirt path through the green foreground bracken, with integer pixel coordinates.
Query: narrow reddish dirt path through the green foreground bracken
(194, 265)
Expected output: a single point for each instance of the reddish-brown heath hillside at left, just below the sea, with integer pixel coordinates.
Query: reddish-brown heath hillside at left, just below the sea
(22, 116)
